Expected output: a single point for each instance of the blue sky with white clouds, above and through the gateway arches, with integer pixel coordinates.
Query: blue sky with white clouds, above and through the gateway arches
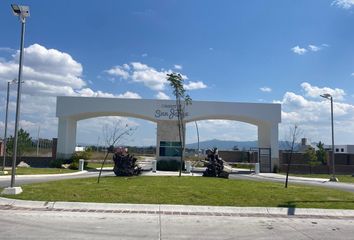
(281, 51)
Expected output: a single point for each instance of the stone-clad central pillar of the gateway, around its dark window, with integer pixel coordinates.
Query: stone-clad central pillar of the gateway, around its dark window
(166, 131)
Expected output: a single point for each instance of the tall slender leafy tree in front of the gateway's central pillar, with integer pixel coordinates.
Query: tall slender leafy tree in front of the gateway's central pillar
(182, 99)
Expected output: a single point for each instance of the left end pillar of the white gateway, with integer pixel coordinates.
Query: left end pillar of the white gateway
(66, 137)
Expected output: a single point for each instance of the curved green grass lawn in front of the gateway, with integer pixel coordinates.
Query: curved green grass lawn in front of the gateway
(187, 190)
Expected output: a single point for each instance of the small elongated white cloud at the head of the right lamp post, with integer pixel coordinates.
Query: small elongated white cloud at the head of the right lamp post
(315, 92)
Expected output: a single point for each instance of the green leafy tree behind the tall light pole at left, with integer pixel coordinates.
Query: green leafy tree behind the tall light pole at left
(24, 143)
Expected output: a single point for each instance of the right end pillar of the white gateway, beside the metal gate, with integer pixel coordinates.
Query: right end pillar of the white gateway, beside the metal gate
(268, 138)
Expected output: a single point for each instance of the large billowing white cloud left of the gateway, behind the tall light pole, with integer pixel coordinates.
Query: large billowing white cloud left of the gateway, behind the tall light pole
(47, 73)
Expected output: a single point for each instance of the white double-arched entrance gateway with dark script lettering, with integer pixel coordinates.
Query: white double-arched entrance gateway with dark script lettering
(163, 112)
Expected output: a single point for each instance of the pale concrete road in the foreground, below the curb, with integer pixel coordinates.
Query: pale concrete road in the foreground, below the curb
(15, 224)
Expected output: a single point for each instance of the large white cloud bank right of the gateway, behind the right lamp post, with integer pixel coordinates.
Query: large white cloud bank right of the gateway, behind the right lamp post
(313, 116)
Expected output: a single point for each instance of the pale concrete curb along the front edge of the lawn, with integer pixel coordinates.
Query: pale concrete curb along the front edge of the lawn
(188, 209)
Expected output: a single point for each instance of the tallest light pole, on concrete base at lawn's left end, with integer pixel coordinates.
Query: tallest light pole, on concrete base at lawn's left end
(22, 12)
